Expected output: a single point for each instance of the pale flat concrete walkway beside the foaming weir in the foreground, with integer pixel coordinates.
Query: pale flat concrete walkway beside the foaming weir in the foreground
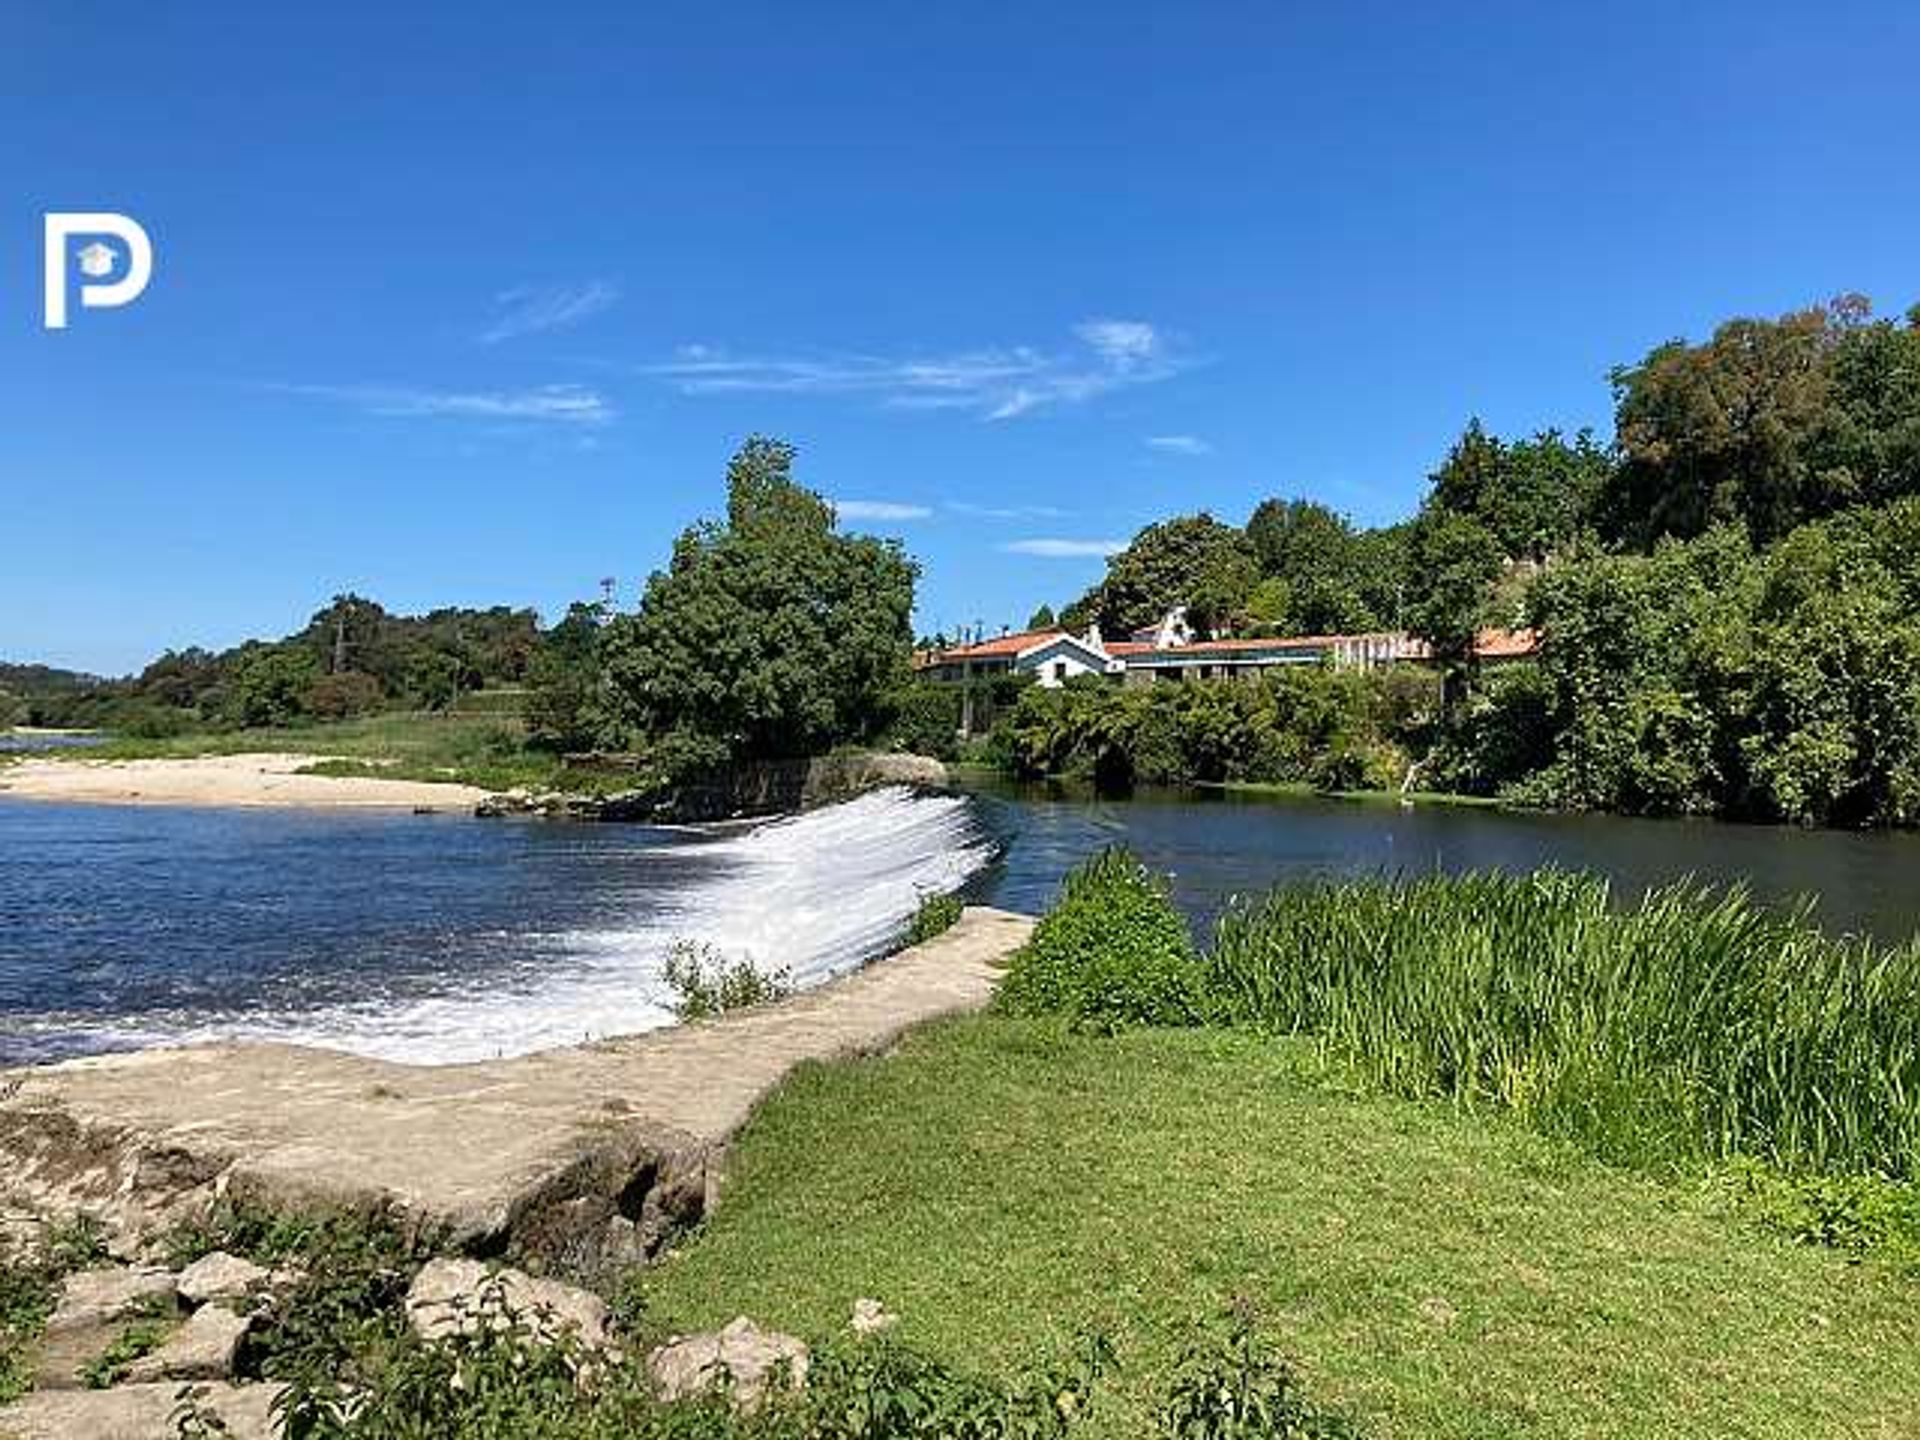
(600, 1151)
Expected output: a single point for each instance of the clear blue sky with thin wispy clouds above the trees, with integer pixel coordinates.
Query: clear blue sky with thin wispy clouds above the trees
(471, 306)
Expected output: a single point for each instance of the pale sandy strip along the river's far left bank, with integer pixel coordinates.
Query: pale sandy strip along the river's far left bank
(222, 780)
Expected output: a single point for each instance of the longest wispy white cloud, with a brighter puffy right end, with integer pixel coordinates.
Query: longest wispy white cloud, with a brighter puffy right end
(996, 383)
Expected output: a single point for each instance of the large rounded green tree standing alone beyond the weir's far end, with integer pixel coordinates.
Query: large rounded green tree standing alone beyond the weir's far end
(769, 635)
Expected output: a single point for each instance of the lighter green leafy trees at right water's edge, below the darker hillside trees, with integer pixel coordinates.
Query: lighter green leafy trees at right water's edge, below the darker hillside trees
(1716, 677)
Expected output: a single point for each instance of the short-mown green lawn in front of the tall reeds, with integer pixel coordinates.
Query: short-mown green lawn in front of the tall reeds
(1001, 1184)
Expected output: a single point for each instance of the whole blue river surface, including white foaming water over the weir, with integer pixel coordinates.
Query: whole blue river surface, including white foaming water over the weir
(441, 938)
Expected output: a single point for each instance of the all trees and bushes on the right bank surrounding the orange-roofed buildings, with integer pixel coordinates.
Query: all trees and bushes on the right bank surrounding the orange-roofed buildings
(1727, 602)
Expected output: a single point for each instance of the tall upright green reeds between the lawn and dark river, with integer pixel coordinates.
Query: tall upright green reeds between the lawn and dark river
(1694, 1024)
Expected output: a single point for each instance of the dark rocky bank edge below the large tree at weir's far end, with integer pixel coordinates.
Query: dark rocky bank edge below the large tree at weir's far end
(756, 788)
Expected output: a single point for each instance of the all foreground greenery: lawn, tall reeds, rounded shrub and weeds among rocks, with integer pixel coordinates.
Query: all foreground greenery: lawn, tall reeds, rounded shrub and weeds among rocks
(1479, 1157)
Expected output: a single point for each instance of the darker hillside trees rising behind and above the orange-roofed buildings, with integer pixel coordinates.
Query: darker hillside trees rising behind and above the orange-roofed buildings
(1767, 425)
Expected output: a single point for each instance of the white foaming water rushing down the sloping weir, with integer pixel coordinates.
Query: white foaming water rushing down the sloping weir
(813, 896)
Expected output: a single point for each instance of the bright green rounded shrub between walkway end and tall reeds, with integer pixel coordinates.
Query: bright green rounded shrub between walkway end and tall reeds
(1111, 953)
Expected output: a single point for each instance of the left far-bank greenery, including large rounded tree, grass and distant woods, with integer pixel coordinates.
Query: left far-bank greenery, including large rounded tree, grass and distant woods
(771, 635)
